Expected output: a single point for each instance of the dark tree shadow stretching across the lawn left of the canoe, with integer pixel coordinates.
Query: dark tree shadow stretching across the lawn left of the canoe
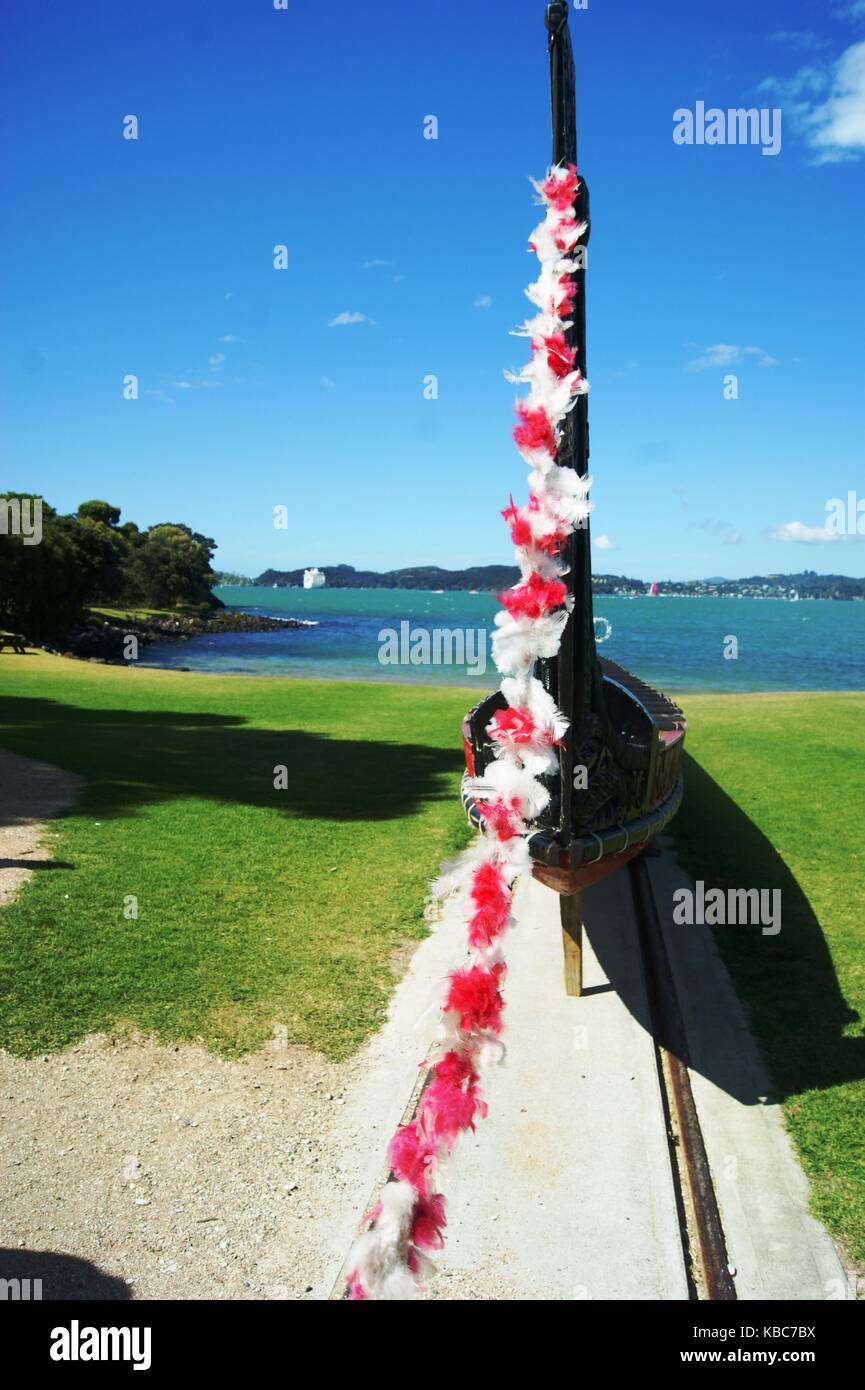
(134, 758)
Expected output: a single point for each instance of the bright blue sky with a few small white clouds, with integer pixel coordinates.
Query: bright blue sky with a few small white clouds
(305, 127)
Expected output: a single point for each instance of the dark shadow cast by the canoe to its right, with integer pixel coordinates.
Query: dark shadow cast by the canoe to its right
(788, 982)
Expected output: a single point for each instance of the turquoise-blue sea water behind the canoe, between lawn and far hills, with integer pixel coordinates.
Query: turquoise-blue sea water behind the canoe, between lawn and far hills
(679, 644)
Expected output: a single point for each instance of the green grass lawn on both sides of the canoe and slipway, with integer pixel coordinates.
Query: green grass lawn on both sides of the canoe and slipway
(262, 907)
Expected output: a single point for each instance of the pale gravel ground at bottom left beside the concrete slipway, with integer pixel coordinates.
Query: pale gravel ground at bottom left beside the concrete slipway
(169, 1171)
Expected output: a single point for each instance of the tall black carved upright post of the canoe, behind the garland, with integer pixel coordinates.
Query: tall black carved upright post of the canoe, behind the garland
(574, 673)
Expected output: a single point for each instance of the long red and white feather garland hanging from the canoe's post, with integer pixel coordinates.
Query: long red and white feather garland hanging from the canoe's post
(391, 1257)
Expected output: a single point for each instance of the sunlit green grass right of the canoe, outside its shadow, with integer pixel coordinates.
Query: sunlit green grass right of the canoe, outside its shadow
(775, 793)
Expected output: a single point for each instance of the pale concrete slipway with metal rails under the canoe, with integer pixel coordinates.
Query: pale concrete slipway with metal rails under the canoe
(567, 1191)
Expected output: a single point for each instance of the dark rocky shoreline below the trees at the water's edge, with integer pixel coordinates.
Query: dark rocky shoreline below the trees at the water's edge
(108, 640)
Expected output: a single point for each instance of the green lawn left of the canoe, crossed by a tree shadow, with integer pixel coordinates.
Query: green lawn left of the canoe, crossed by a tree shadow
(257, 907)
